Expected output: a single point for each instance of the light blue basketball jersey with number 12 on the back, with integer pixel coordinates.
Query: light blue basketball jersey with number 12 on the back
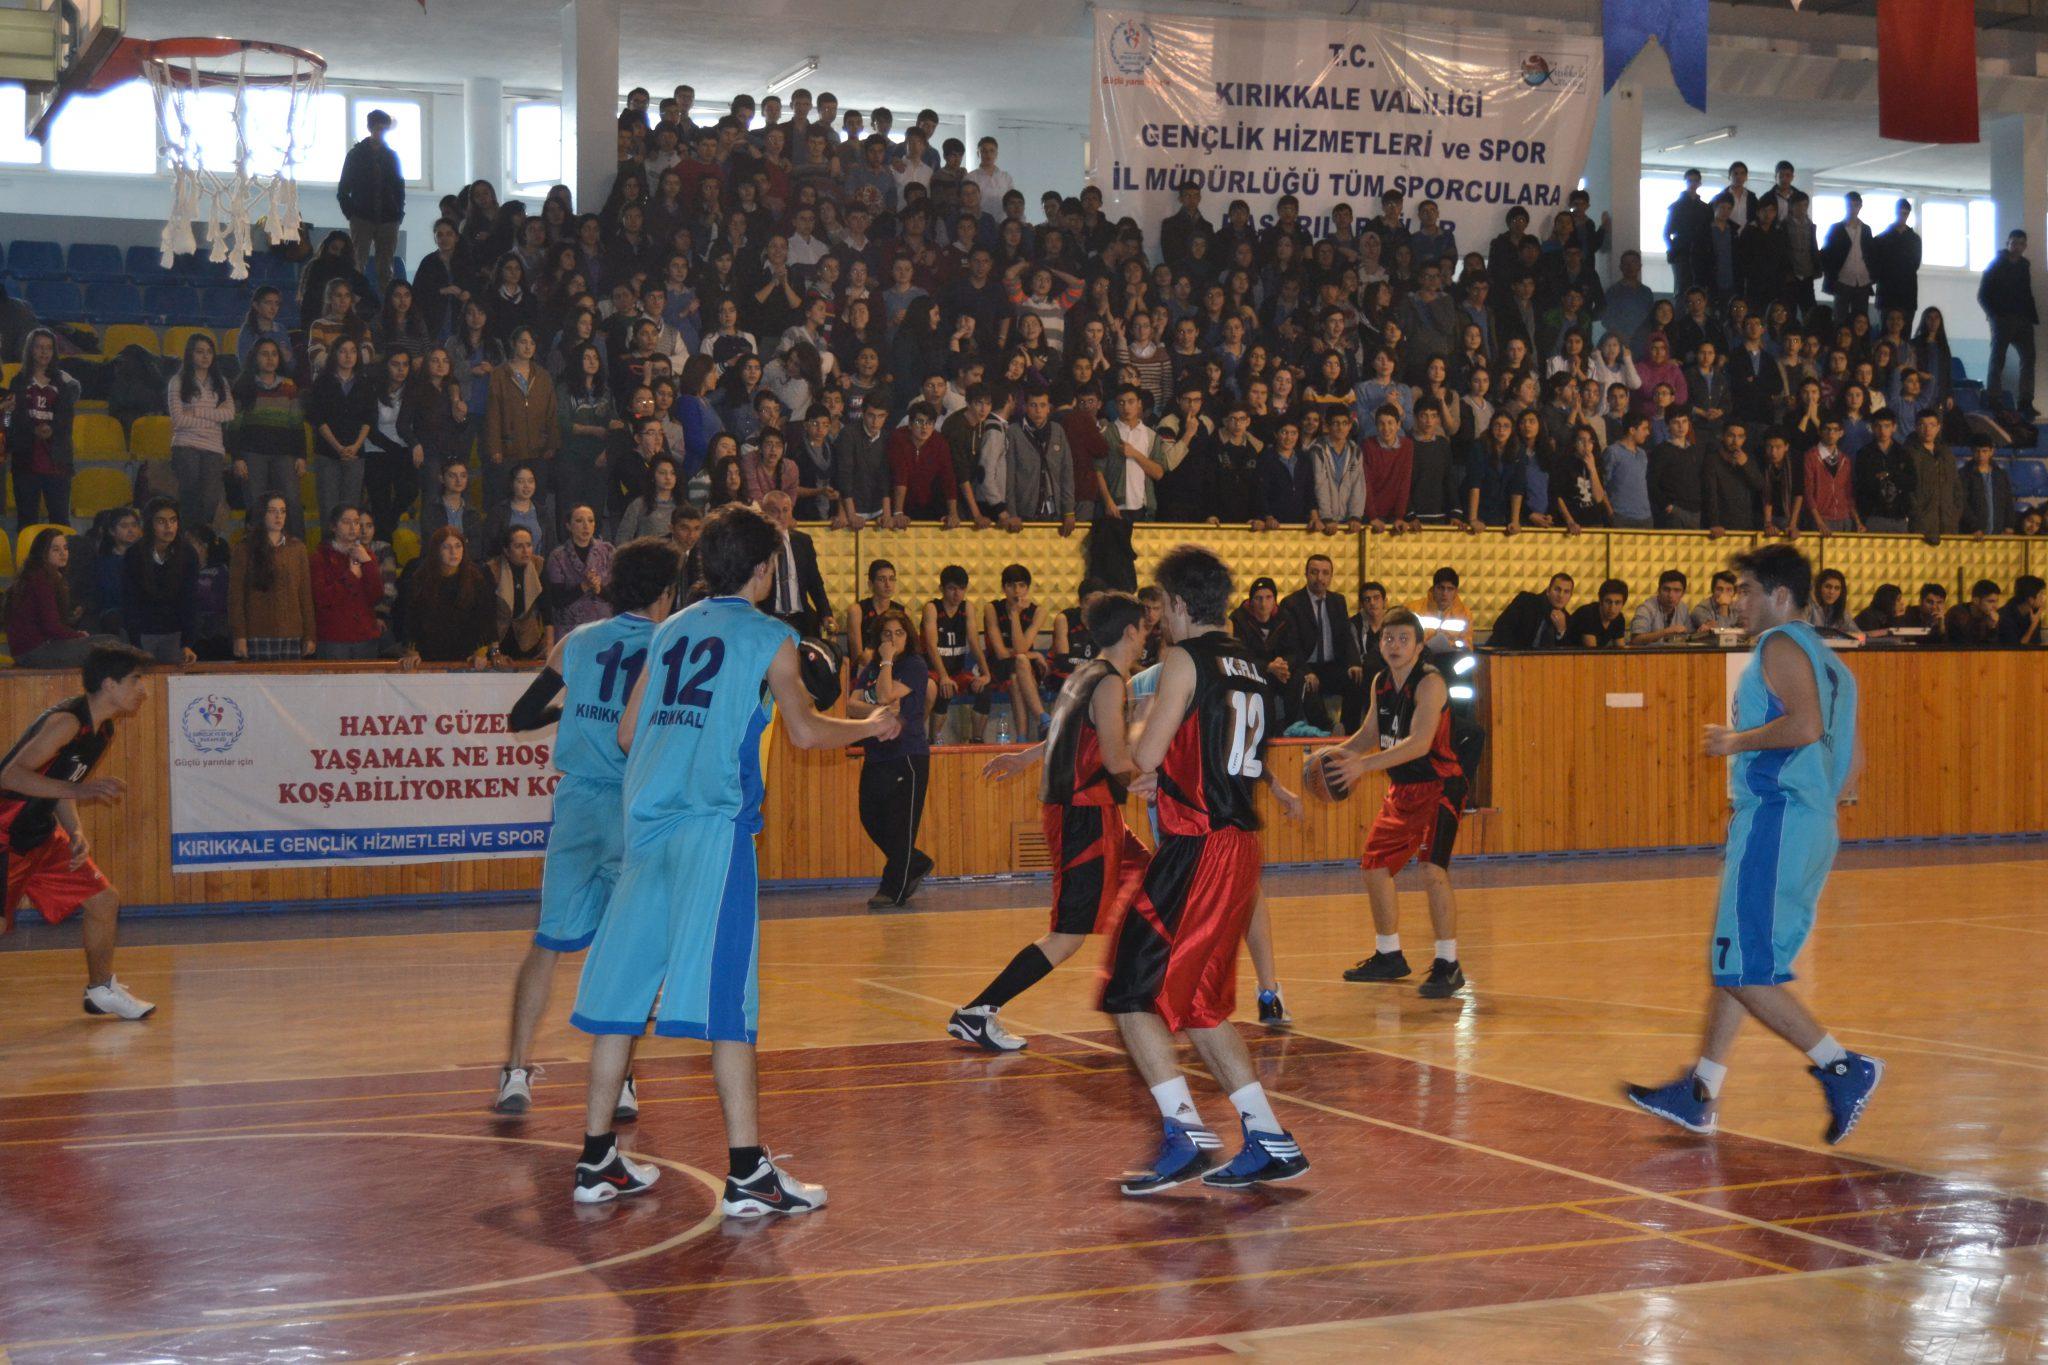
(701, 719)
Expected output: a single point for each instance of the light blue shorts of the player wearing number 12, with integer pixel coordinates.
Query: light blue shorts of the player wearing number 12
(683, 928)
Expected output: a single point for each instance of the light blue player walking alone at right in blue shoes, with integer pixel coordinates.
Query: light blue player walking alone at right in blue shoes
(1793, 748)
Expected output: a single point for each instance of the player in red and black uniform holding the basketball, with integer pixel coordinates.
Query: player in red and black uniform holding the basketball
(1408, 738)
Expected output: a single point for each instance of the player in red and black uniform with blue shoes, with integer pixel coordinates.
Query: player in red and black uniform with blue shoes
(1175, 965)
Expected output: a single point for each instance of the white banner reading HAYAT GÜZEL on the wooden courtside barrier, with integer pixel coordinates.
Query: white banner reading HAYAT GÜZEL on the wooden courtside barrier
(282, 770)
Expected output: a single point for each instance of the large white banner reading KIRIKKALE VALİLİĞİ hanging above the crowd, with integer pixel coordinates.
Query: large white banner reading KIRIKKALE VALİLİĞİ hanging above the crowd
(1338, 112)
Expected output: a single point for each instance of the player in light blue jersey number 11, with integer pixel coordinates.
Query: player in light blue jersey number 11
(595, 668)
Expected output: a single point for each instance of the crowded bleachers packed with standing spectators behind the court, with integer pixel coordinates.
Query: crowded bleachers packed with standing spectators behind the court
(431, 459)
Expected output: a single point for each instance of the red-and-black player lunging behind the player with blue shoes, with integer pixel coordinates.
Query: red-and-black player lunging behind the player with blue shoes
(1097, 861)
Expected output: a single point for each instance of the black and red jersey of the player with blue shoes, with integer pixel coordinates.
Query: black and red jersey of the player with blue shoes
(1220, 752)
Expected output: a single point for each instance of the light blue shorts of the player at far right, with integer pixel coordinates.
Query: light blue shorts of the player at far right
(1770, 887)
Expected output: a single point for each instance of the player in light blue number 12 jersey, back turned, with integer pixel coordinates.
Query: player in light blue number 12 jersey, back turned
(685, 922)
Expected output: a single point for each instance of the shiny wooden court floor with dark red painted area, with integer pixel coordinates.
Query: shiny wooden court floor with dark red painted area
(296, 1161)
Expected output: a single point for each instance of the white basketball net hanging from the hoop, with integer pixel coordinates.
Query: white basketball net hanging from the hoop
(228, 202)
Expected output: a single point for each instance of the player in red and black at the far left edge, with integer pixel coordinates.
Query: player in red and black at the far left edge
(42, 779)
